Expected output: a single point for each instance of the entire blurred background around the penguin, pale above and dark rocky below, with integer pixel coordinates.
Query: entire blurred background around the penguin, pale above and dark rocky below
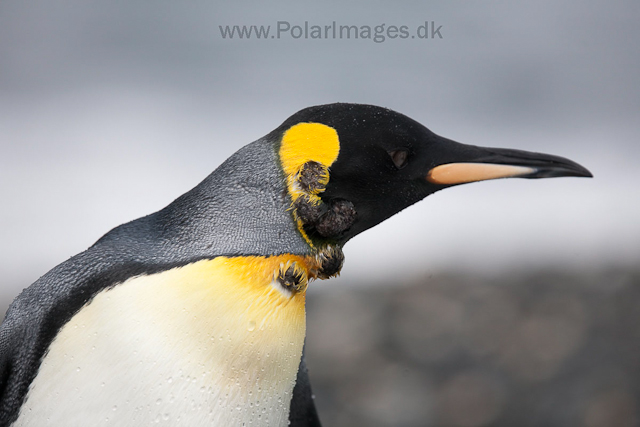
(110, 110)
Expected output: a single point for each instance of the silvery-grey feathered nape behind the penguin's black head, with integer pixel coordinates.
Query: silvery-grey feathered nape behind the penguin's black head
(240, 209)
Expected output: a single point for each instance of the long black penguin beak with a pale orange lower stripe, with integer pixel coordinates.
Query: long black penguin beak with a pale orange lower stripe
(467, 163)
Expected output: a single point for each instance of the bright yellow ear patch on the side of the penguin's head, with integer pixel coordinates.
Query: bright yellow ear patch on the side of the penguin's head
(303, 143)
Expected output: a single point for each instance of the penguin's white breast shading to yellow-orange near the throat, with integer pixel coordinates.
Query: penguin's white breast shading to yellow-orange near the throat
(216, 342)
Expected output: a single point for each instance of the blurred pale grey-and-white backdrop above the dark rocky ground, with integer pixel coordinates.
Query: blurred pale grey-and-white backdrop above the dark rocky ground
(109, 110)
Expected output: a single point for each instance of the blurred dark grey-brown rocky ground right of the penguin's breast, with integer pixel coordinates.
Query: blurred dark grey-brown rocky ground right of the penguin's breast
(544, 349)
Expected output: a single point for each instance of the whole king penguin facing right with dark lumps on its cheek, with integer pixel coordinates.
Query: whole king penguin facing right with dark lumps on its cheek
(195, 315)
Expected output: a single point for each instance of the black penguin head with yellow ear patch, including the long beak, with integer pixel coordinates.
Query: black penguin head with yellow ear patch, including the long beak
(351, 166)
